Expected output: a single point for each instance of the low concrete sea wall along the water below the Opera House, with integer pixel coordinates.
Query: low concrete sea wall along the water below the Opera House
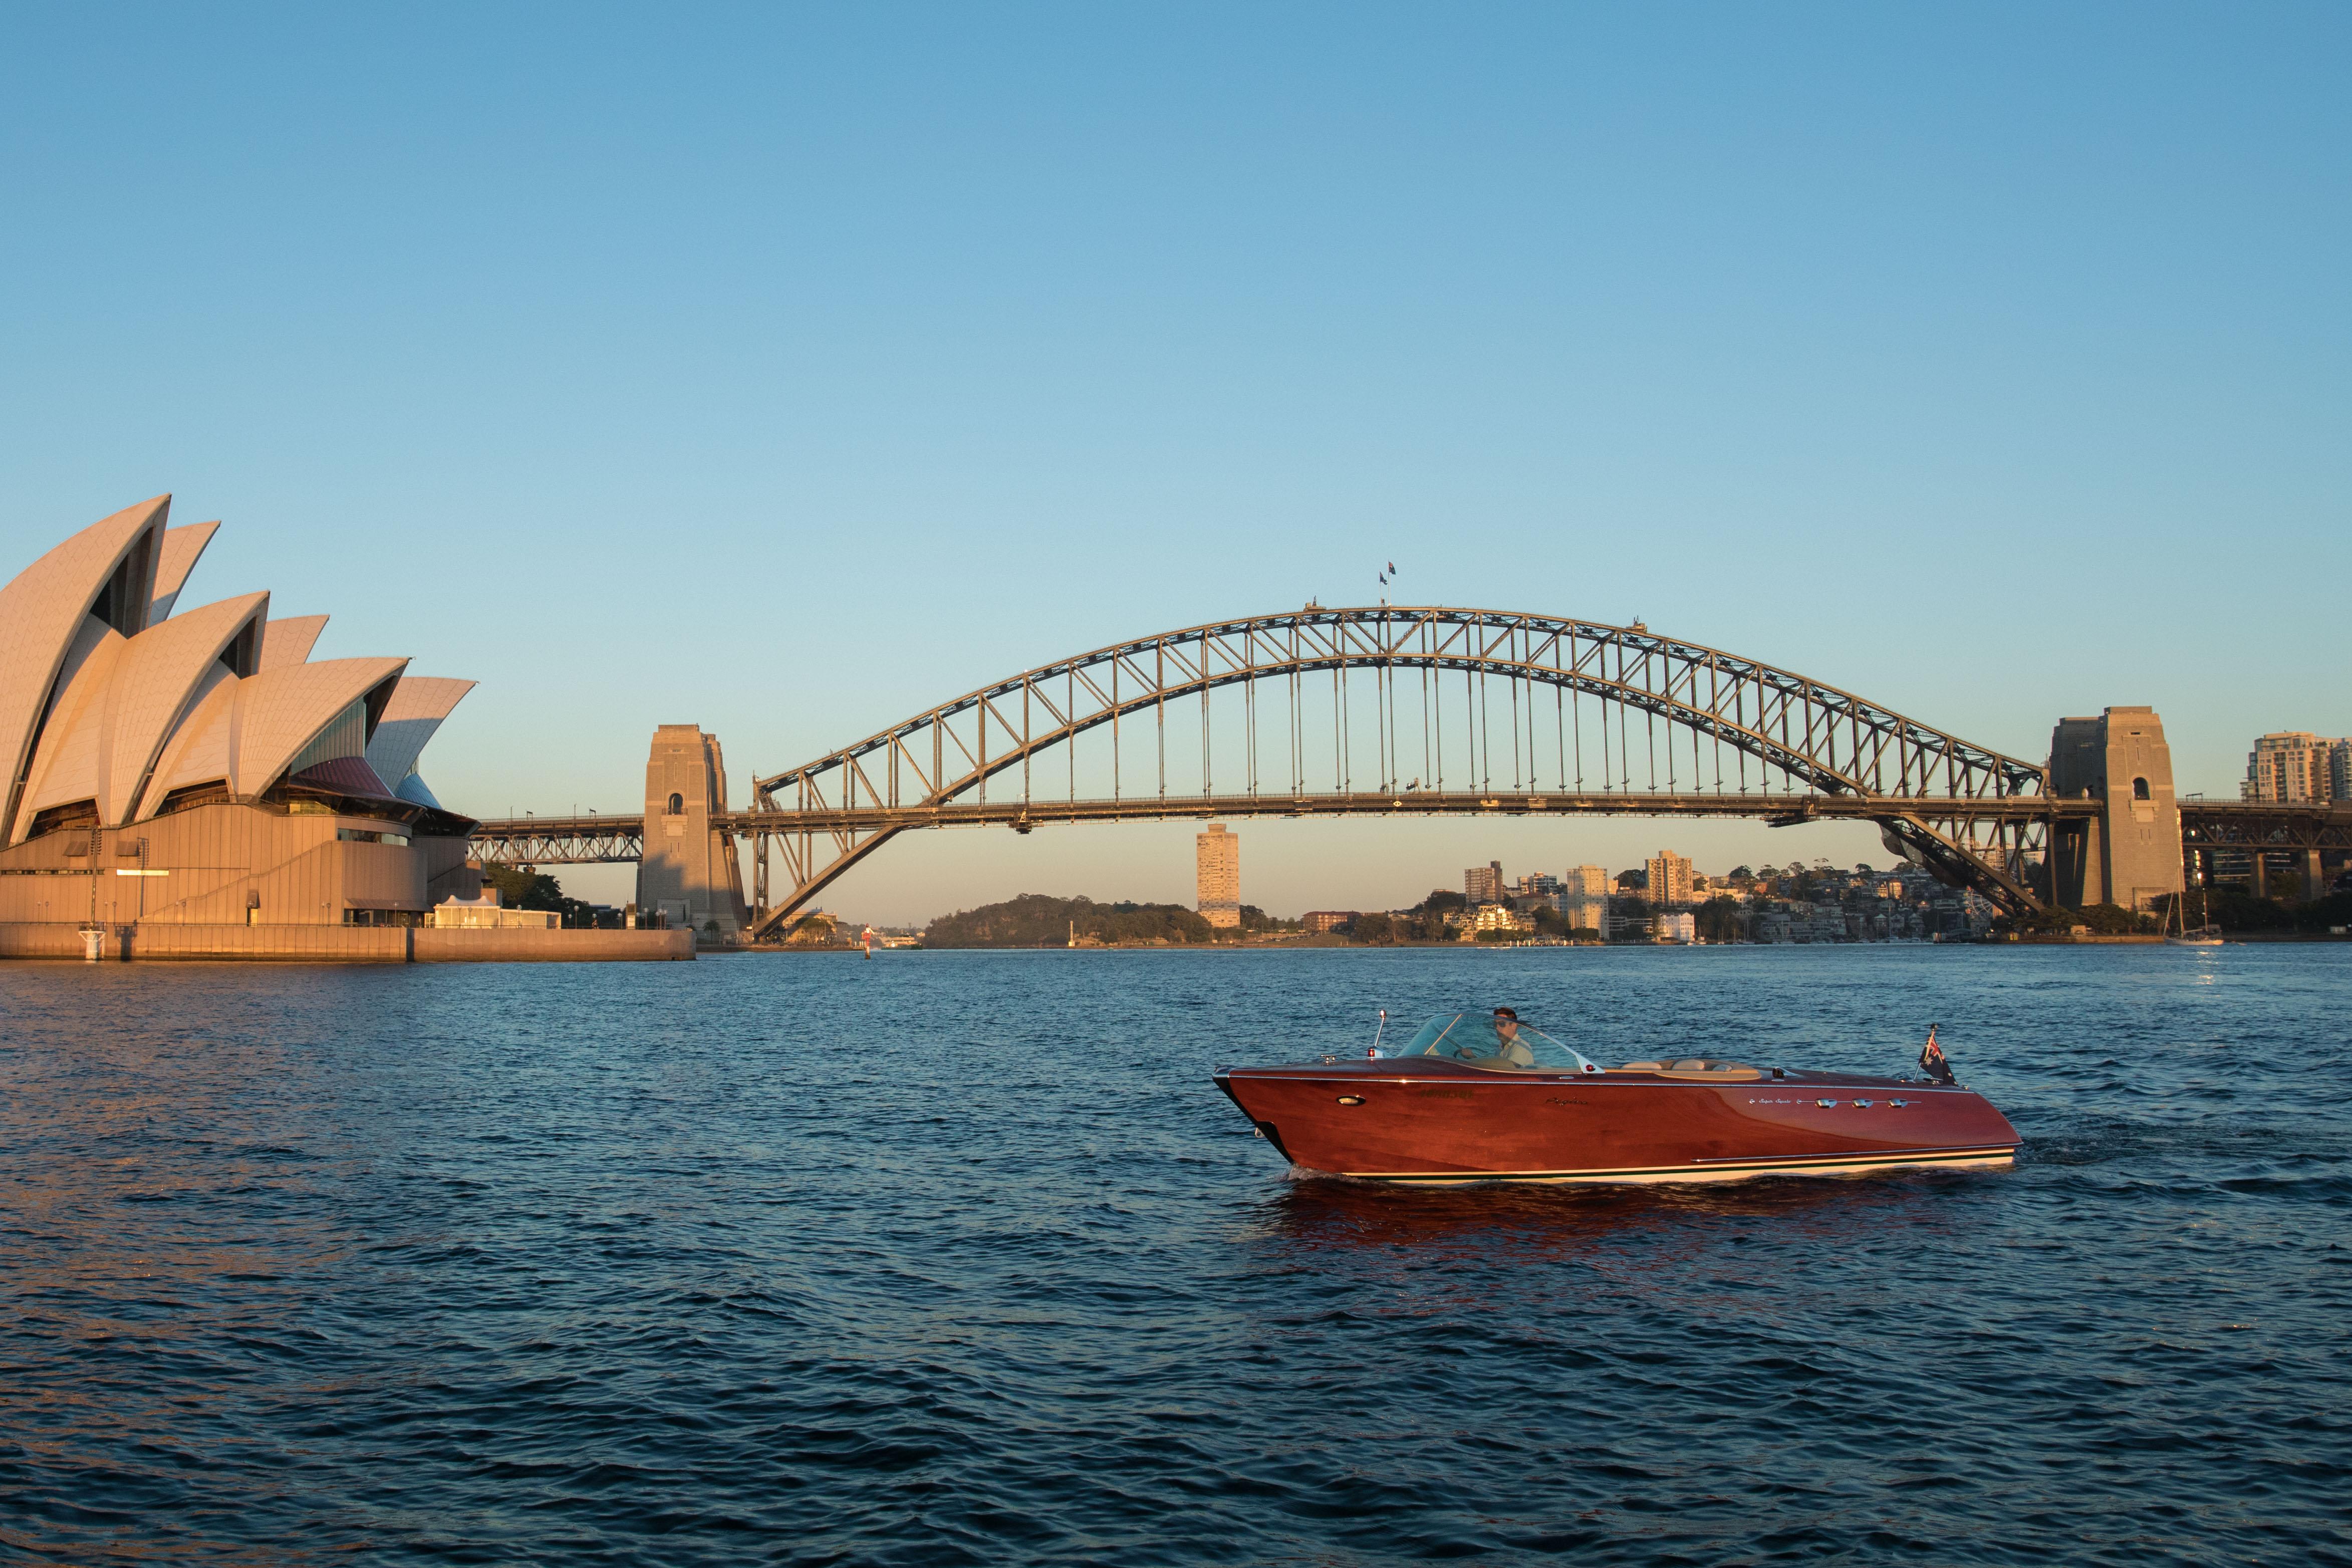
(347, 944)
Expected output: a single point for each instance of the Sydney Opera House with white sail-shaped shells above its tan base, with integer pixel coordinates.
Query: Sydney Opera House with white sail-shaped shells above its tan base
(192, 779)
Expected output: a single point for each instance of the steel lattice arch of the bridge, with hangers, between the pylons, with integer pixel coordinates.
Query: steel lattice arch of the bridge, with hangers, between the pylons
(1800, 749)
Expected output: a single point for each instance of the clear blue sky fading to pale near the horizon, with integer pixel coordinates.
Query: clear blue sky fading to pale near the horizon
(789, 370)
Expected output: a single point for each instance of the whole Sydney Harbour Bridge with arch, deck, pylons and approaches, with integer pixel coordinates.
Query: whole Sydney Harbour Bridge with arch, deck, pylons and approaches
(1401, 711)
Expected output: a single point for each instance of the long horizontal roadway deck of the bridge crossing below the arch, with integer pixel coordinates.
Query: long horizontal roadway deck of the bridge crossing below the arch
(559, 840)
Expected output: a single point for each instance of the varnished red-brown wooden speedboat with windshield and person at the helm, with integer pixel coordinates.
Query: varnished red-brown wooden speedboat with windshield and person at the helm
(1469, 1101)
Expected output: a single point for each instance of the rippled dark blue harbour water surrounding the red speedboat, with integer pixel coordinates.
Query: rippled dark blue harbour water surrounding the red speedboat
(963, 1259)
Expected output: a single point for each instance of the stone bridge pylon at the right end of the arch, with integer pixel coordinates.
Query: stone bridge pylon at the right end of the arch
(2132, 852)
